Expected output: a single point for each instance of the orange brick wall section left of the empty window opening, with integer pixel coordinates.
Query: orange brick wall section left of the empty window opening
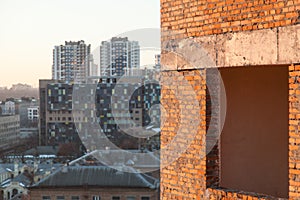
(184, 178)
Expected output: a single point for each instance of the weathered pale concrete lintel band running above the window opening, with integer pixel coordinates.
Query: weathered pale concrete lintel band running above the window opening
(260, 47)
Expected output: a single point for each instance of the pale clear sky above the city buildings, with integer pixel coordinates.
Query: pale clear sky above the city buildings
(30, 28)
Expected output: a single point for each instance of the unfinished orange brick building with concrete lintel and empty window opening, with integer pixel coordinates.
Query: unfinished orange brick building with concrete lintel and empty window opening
(255, 46)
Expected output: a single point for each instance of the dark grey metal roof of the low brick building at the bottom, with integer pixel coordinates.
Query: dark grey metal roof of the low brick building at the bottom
(103, 176)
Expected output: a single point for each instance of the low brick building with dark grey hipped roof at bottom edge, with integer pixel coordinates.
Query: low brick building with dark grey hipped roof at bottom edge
(95, 182)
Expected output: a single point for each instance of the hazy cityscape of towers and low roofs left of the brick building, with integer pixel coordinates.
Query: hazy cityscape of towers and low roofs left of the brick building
(46, 140)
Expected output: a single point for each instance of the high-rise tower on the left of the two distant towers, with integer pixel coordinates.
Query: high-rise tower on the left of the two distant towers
(71, 62)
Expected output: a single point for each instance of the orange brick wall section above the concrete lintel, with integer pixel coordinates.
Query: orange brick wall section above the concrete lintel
(198, 18)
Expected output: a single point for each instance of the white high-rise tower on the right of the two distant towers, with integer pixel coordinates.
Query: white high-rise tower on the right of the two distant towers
(119, 56)
